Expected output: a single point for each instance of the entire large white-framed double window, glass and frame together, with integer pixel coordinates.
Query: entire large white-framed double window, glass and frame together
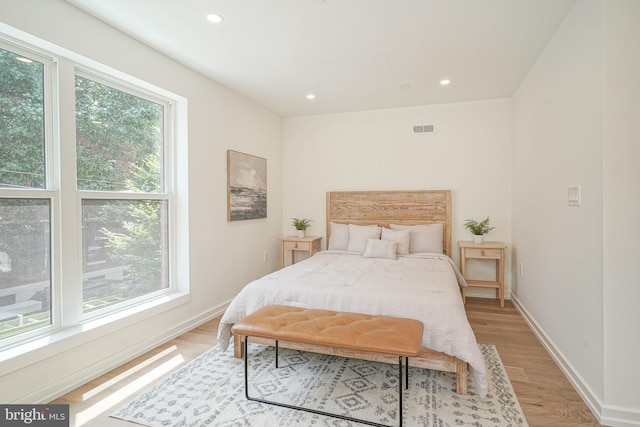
(111, 206)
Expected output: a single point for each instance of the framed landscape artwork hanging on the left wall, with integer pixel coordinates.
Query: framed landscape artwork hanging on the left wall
(246, 186)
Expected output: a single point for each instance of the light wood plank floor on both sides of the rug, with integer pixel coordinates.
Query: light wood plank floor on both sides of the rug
(544, 393)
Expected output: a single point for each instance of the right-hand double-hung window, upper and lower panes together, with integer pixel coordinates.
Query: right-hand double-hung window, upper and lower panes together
(119, 148)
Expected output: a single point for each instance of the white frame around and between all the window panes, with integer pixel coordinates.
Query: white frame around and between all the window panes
(69, 320)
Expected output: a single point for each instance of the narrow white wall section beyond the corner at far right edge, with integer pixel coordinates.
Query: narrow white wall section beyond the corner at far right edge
(621, 208)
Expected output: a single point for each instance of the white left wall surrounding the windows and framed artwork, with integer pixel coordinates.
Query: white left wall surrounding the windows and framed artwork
(223, 256)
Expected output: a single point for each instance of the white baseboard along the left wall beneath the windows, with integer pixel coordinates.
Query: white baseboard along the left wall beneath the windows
(50, 392)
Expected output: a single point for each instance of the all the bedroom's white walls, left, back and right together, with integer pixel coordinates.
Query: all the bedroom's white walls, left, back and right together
(573, 123)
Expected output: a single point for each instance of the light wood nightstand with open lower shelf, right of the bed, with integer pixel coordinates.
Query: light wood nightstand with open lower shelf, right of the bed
(486, 250)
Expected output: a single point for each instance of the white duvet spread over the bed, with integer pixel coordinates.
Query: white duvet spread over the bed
(418, 286)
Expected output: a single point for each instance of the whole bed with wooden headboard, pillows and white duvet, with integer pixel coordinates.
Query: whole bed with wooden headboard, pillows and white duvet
(388, 253)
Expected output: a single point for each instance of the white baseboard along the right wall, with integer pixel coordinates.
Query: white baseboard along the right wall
(606, 415)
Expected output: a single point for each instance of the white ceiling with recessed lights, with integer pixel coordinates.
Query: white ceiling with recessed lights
(352, 54)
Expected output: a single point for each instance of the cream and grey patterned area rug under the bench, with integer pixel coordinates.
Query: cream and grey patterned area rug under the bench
(209, 391)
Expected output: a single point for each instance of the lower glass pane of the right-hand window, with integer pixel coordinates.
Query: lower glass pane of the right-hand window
(124, 250)
